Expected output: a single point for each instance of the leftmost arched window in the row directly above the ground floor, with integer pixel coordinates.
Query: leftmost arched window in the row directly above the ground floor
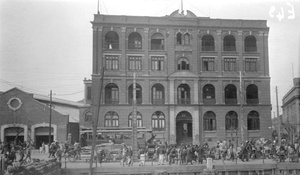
(111, 94)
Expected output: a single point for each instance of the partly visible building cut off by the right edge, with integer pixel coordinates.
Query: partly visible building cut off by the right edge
(291, 110)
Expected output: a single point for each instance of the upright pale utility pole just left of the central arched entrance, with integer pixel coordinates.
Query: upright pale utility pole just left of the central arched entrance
(134, 121)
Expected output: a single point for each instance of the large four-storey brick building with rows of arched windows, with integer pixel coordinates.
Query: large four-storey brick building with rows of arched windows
(198, 79)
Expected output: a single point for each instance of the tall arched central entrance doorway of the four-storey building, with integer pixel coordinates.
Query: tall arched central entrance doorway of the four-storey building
(184, 128)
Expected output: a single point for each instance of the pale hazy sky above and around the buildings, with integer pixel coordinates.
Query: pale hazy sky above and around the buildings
(47, 44)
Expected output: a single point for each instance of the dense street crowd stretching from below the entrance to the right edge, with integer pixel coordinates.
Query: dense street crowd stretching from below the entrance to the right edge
(223, 150)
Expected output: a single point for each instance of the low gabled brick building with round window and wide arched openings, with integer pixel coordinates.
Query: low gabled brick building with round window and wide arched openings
(27, 116)
